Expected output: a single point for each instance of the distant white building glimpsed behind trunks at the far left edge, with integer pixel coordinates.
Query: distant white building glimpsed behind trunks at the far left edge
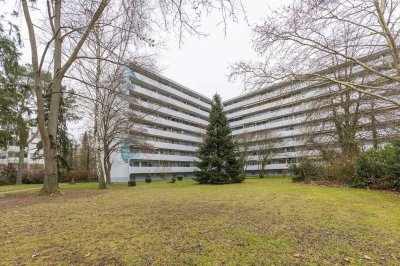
(33, 156)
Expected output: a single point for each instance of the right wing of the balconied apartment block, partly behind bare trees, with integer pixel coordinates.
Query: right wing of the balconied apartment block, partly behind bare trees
(297, 118)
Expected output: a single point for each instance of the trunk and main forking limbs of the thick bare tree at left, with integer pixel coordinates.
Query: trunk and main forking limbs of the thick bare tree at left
(48, 131)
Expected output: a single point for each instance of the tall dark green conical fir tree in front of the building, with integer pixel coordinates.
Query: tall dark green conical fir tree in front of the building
(218, 154)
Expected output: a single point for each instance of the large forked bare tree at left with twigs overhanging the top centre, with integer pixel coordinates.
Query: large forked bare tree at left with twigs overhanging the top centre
(69, 24)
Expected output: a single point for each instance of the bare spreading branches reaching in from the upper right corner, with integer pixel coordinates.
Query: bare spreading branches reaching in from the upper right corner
(298, 41)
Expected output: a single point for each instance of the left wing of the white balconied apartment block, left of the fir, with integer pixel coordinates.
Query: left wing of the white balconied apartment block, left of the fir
(173, 124)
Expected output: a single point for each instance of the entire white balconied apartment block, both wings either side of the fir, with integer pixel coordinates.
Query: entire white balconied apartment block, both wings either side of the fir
(284, 113)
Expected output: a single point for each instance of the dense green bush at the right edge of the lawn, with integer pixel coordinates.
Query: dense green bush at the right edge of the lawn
(379, 168)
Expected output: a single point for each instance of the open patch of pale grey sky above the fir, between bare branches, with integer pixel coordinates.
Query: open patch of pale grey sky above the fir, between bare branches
(202, 63)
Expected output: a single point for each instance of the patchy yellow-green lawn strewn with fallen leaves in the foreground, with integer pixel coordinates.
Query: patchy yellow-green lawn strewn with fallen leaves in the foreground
(260, 222)
